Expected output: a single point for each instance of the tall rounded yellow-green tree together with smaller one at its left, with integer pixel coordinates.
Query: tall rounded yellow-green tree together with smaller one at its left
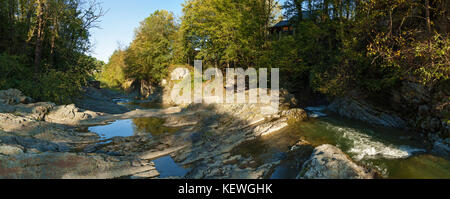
(148, 56)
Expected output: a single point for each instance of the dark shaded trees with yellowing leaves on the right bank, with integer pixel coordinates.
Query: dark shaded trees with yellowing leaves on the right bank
(366, 45)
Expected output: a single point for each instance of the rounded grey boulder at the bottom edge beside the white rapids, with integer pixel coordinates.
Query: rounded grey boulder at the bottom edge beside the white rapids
(329, 162)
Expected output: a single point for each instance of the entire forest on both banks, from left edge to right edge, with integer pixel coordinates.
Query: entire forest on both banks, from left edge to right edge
(338, 46)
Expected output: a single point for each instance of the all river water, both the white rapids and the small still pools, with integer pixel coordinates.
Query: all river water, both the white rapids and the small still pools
(393, 153)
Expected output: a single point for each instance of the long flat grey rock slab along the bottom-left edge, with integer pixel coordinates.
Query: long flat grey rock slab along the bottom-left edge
(67, 166)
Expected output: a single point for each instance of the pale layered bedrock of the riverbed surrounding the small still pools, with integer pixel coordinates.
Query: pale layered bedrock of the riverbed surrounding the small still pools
(43, 140)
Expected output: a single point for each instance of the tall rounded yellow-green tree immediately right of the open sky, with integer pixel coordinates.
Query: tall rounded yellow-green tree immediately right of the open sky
(151, 51)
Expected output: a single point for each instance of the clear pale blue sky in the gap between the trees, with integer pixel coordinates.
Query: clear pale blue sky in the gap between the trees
(122, 18)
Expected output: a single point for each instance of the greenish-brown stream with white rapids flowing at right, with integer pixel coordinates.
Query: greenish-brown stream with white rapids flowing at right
(393, 153)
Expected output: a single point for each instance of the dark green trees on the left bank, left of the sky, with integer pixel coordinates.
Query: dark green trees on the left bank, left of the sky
(43, 46)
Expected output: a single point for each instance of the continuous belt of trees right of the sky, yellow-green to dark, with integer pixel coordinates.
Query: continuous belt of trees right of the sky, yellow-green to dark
(339, 46)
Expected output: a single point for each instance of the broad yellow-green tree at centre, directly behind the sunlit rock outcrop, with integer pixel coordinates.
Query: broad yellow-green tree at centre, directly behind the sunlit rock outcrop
(227, 33)
